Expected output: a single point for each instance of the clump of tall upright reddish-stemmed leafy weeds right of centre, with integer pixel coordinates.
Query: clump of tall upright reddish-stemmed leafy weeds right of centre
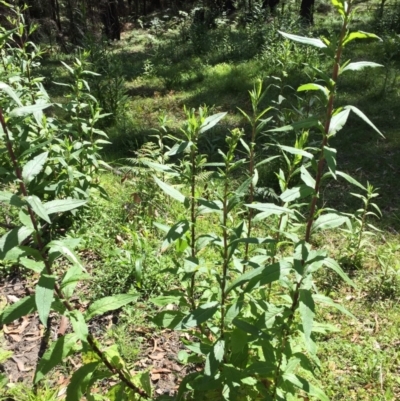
(257, 328)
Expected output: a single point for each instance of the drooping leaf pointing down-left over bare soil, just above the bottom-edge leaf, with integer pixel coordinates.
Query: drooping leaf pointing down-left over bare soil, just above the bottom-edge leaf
(55, 354)
